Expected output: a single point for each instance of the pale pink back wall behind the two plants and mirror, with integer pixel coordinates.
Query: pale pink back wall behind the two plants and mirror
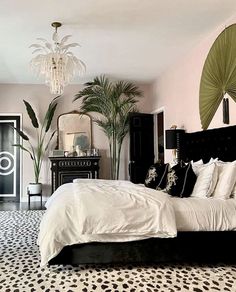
(11, 101)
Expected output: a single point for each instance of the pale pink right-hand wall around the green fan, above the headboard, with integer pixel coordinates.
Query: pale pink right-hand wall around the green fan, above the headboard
(177, 90)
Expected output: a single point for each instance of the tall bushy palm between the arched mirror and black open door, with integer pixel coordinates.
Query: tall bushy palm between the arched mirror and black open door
(113, 102)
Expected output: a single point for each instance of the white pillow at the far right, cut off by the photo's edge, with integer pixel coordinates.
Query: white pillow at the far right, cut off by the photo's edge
(226, 180)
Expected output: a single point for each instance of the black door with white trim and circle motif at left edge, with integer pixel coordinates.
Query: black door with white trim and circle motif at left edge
(9, 158)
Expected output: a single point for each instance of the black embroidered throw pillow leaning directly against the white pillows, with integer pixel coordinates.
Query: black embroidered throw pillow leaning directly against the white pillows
(180, 180)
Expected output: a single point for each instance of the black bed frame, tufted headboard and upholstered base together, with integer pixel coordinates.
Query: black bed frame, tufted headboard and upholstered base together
(217, 246)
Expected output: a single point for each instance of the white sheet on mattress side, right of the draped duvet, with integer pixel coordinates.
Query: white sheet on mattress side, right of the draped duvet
(204, 214)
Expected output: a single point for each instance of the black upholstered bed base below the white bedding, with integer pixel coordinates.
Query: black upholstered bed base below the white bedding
(201, 247)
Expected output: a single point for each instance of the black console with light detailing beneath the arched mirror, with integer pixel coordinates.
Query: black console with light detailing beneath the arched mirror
(65, 169)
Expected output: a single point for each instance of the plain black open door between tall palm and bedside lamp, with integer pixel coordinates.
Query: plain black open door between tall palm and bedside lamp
(141, 146)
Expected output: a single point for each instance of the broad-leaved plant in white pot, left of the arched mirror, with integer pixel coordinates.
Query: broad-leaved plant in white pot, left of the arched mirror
(43, 140)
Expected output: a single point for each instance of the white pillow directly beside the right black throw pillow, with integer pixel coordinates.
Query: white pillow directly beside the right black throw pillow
(206, 181)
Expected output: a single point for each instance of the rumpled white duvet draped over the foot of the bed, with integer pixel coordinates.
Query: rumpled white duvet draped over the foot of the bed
(102, 210)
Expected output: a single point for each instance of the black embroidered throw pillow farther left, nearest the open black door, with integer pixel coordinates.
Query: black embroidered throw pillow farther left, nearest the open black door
(156, 176)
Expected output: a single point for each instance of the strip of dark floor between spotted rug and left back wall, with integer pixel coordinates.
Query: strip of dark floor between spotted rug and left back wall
(23, 206)
